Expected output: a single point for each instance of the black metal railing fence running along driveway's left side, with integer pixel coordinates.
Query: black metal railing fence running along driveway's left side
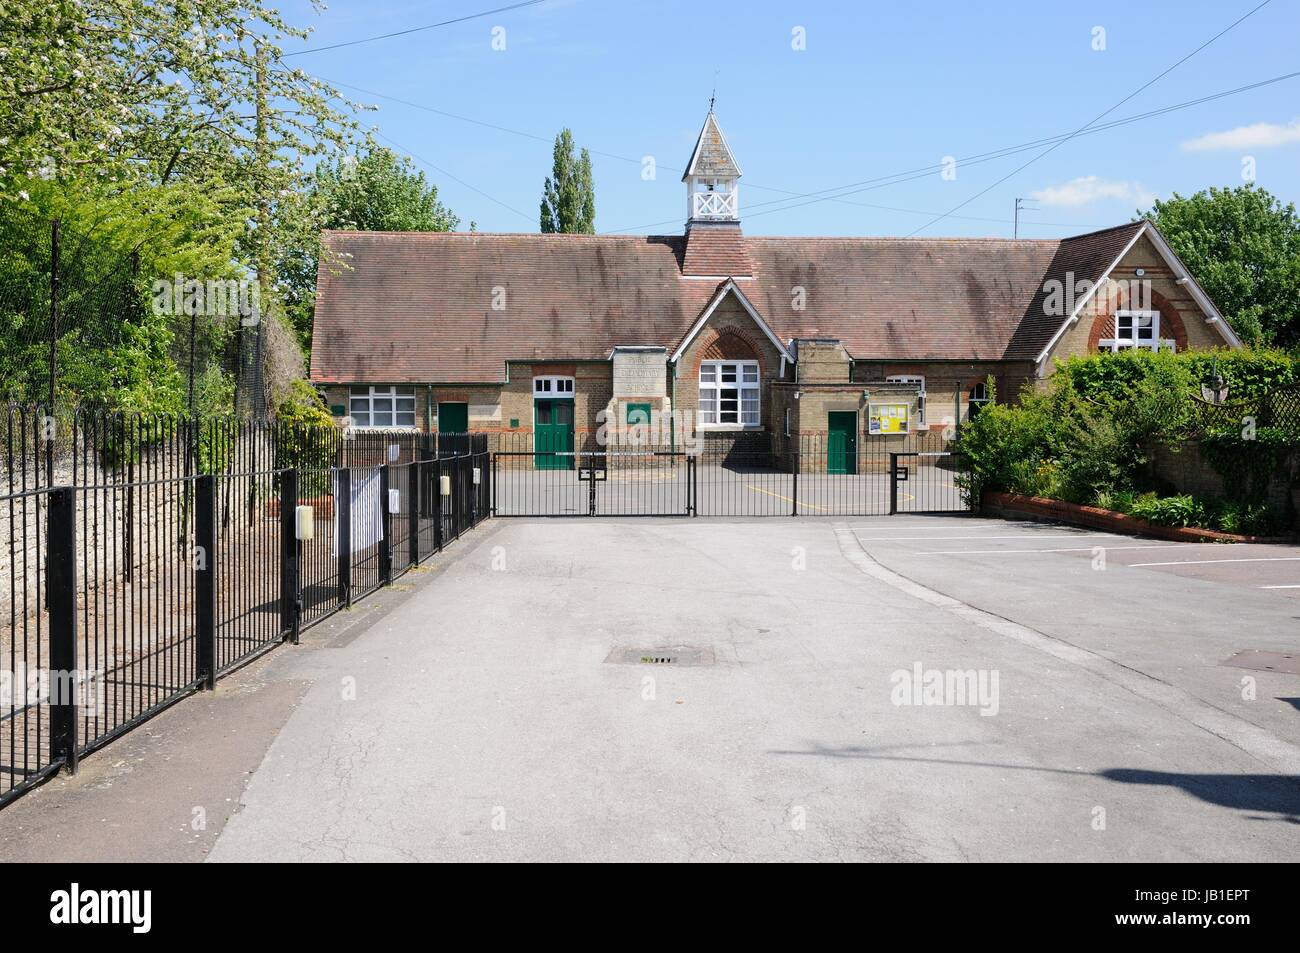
(150, 575)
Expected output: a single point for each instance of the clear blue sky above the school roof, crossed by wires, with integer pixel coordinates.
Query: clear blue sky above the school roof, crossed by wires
(881, 89)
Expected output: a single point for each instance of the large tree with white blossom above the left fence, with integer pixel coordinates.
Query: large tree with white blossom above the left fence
(125, 114)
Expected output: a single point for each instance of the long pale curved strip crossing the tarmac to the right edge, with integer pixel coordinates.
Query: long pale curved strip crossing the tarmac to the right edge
(1224, 725)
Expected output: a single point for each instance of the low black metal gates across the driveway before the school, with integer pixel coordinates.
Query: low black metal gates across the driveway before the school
(760, 476)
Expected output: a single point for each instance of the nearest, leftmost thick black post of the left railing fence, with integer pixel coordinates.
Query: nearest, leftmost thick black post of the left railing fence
(62, 599)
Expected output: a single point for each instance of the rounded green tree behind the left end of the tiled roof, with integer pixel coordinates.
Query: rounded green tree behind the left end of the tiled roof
(371, 190)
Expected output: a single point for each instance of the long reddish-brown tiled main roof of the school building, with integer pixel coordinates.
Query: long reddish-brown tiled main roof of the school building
(419, 307)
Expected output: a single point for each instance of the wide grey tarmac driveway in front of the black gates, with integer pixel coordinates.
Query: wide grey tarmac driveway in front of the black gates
(833, 691)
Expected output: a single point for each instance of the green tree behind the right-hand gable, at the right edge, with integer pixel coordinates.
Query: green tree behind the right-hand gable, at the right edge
(1243, 246)
